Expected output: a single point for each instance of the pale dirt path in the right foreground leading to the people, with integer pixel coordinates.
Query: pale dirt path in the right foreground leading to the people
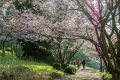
(87, 74)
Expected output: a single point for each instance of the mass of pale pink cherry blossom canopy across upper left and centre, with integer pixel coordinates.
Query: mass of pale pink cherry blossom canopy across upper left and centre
(47, 19)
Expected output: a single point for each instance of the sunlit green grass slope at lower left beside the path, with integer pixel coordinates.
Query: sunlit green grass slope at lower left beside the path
(23, 69)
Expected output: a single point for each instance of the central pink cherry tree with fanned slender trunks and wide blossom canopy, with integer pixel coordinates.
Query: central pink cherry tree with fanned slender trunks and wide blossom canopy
(44, 20)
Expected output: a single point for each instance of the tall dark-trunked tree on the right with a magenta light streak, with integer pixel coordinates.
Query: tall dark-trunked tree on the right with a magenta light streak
(104, 17)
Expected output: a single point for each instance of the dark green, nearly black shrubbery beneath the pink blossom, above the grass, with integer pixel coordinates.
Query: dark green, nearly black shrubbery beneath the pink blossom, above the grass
(38, 50)
